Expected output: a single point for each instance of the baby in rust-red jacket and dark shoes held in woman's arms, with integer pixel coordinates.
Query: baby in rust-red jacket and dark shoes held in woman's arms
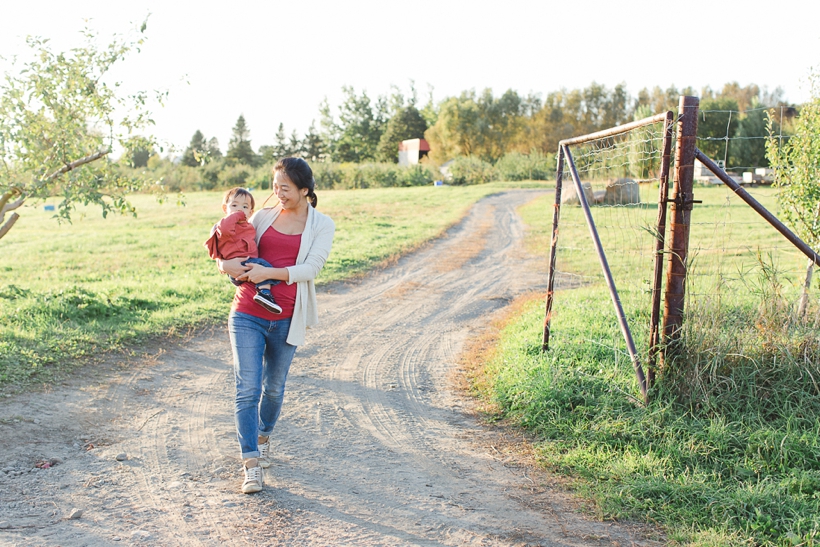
(234, 236)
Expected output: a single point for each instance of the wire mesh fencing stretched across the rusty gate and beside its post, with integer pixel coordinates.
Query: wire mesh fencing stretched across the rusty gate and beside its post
(737, 263)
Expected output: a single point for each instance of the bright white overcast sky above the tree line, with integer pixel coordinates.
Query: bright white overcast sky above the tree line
(275, 62)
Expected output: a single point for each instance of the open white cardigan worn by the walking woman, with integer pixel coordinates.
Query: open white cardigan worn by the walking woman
(313, 252)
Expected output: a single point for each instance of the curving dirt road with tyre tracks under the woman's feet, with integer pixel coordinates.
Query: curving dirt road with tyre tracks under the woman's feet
(374, 448)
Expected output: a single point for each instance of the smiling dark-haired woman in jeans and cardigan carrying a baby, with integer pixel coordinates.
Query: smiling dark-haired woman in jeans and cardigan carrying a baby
(295, 239)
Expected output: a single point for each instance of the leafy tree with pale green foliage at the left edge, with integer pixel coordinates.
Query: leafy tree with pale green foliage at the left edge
(60, 117)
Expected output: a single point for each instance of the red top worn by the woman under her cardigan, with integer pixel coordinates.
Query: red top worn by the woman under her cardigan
(281, 251)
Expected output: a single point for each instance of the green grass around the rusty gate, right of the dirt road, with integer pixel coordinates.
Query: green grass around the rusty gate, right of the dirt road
(728, 450)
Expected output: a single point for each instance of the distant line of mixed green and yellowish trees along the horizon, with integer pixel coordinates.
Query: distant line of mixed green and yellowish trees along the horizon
(482, 127)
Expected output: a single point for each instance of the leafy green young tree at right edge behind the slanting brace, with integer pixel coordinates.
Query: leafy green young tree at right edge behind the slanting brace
(796, 165)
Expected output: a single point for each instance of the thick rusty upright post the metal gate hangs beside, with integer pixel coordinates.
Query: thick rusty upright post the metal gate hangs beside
(681, 201)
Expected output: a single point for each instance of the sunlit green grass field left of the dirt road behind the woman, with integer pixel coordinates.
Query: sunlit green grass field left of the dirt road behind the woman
(69, 291)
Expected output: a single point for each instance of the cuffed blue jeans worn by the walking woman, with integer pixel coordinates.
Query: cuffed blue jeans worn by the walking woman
(261, 357)
